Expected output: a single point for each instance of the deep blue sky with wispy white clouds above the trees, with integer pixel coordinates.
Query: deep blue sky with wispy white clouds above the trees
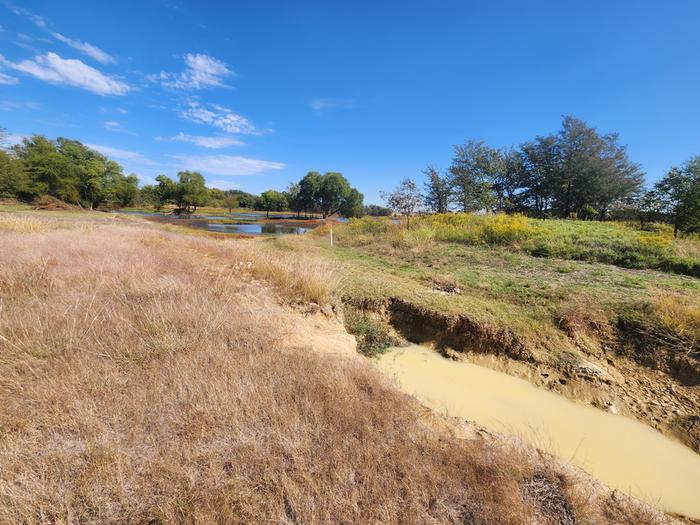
(255, 94)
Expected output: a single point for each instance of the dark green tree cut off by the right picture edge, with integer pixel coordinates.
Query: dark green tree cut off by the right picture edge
(678, 196)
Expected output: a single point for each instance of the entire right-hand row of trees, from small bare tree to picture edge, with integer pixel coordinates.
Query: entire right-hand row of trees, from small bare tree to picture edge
(574, 173)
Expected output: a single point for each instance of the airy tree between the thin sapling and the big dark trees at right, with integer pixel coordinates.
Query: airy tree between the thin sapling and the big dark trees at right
(473, 169)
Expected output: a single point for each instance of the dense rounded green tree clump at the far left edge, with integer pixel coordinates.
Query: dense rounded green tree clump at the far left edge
(65, 169)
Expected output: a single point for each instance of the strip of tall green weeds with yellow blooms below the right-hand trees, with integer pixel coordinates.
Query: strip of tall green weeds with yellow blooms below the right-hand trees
(618, 244)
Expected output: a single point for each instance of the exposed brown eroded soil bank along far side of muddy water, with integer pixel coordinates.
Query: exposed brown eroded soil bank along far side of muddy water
(656, 389)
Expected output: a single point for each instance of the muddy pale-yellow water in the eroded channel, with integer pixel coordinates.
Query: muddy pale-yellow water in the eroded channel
(621, 452)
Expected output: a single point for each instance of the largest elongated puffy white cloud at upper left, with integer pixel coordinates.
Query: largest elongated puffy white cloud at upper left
(56, 70)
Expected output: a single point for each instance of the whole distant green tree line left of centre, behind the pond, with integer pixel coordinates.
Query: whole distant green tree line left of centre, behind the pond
(77, 174)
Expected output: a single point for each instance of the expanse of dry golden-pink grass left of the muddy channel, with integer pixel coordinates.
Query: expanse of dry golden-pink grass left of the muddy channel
(144, 379)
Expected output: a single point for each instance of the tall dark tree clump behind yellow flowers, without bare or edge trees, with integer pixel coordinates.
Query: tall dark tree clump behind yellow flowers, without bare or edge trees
(574, 172)
